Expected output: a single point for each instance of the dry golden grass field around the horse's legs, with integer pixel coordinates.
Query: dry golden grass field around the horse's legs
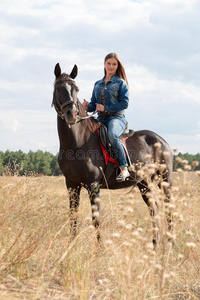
(39, 262)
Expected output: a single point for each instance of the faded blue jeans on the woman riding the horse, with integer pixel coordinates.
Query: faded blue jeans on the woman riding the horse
(116, 125)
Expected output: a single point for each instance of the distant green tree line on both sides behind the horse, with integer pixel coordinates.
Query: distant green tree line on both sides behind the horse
(45, 163)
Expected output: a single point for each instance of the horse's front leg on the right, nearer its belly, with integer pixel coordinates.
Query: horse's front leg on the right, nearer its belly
(94, 194)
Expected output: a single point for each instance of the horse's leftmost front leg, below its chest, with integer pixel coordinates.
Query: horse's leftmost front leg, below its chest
(74, 199)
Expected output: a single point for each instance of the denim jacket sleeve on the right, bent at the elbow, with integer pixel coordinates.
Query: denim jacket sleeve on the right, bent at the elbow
(123, 99)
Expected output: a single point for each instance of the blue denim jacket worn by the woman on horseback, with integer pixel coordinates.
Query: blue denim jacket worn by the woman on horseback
(115, 93)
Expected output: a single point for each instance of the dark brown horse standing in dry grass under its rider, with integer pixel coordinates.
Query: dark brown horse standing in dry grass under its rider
(80, 154)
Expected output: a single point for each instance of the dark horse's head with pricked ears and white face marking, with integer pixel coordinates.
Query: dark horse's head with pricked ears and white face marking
(65, 93)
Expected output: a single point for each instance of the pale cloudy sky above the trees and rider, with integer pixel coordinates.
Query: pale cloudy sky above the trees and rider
(156, 40)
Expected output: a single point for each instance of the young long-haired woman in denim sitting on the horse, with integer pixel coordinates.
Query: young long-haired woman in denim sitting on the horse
(110, 98)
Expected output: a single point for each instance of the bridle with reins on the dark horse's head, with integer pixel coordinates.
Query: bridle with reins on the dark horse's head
(59, 107)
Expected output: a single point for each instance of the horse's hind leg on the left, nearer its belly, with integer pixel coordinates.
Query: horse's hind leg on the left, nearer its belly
(153, 208)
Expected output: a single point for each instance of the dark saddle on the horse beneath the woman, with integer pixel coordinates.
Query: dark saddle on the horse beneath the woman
(106, 144)
